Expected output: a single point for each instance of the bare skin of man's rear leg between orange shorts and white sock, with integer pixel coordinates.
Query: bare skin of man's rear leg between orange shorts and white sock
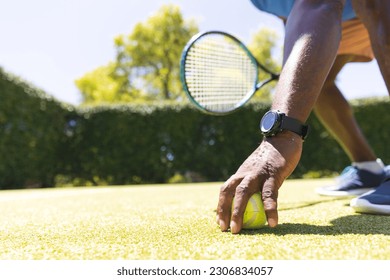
(337, 116)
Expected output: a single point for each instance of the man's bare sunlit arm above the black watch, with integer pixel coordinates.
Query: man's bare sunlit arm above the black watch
(311, 42)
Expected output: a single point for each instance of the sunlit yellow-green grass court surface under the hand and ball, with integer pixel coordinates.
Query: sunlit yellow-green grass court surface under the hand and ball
(178, 222)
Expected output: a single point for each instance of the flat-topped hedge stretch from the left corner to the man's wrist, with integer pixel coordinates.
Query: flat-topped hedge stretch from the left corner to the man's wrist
(134, 144)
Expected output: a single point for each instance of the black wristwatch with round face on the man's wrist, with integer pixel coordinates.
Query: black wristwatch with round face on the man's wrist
(274, 122)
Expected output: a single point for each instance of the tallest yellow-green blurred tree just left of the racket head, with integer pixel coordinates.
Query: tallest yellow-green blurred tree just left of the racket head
(149, 56)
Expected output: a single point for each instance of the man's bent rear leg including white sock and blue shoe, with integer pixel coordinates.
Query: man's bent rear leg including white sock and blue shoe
(337, 116)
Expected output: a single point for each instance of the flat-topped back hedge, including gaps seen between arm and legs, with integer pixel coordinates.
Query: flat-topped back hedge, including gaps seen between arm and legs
(133, 144)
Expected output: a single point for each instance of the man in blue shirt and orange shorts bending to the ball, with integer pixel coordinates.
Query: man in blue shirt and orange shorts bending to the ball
(313, 33)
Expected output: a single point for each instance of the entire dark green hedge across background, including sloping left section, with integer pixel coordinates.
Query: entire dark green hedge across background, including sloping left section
(44, 142)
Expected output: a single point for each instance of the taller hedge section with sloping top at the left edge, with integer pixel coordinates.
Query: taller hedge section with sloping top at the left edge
(31, 134)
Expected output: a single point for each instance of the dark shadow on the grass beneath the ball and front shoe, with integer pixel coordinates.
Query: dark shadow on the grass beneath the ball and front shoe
(352, 224)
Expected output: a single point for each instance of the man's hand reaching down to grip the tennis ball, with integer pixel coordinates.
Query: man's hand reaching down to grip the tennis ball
(264, 170)
